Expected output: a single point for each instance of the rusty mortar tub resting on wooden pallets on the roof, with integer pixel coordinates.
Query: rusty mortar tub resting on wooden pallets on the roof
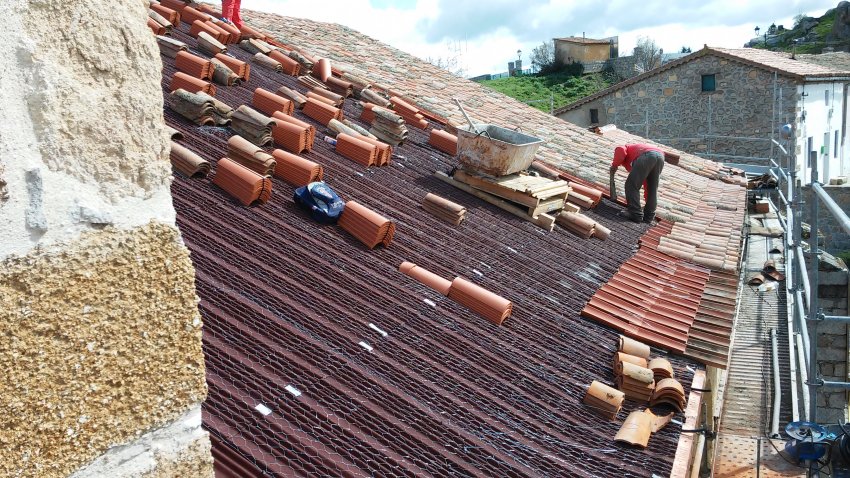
(494, 150)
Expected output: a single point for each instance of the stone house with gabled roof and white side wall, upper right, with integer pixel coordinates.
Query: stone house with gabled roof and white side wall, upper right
(727, 105)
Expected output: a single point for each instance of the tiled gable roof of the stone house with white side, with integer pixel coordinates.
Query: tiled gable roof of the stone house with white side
(772, 61)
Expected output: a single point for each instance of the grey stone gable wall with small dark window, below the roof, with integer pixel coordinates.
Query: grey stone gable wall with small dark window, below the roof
(742, 105)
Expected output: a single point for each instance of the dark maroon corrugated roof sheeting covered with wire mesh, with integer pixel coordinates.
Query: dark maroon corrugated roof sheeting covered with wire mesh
(323, 360)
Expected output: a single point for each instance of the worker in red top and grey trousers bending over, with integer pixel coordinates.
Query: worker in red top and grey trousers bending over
(644, 163)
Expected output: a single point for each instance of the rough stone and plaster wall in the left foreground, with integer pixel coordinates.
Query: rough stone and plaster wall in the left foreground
(98, 313)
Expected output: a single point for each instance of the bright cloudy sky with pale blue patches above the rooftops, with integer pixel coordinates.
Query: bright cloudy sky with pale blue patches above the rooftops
(485, 36)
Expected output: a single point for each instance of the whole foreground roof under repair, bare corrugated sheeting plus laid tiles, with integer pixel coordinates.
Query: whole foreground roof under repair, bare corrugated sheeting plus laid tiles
(324, 360)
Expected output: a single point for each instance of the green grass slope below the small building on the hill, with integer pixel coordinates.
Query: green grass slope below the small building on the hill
(566, 89)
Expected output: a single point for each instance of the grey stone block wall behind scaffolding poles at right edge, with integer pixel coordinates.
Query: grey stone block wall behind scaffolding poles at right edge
(833, 340)
